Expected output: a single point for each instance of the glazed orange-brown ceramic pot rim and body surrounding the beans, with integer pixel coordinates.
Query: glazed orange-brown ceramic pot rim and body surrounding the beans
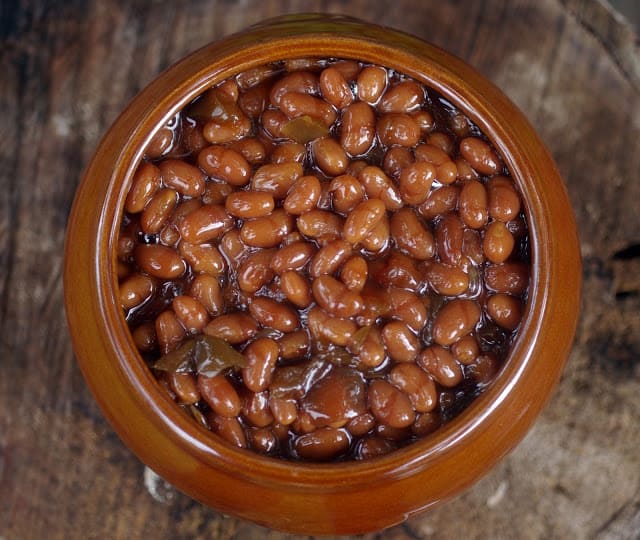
(339, 498)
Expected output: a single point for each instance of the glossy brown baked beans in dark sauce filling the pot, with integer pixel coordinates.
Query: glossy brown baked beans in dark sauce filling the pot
(323, 260)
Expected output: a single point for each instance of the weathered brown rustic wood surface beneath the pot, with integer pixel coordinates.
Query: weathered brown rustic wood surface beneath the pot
(68, 67)
